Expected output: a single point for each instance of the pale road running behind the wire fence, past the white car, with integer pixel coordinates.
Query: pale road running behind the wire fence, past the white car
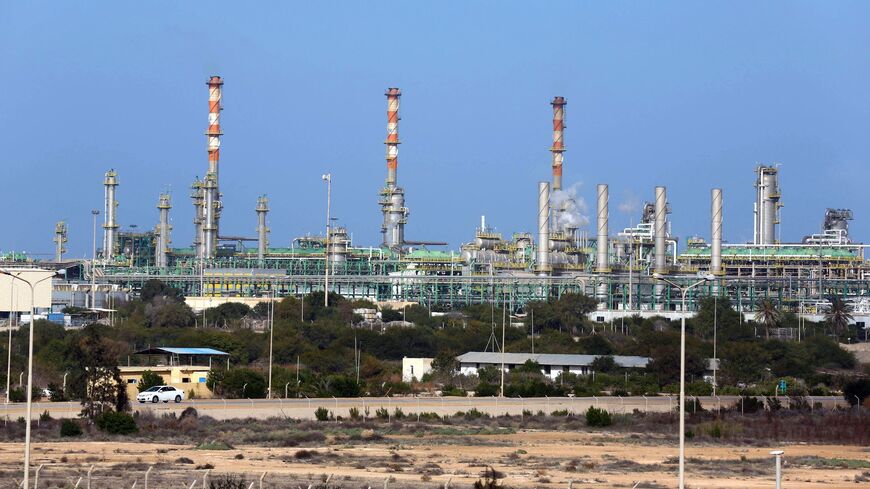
(304, 408)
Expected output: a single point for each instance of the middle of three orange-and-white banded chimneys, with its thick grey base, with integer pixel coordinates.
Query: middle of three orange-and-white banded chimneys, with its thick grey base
(392, 196)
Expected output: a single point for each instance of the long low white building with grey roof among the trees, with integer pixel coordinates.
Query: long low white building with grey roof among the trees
(551, 364)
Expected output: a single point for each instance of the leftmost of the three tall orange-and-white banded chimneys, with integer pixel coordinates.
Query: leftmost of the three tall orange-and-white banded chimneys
(213, 134)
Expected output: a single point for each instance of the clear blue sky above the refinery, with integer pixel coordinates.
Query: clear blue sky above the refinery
(691, 95)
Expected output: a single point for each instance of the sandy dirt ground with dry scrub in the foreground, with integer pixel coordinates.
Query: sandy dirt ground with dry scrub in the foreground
(525, 459)
